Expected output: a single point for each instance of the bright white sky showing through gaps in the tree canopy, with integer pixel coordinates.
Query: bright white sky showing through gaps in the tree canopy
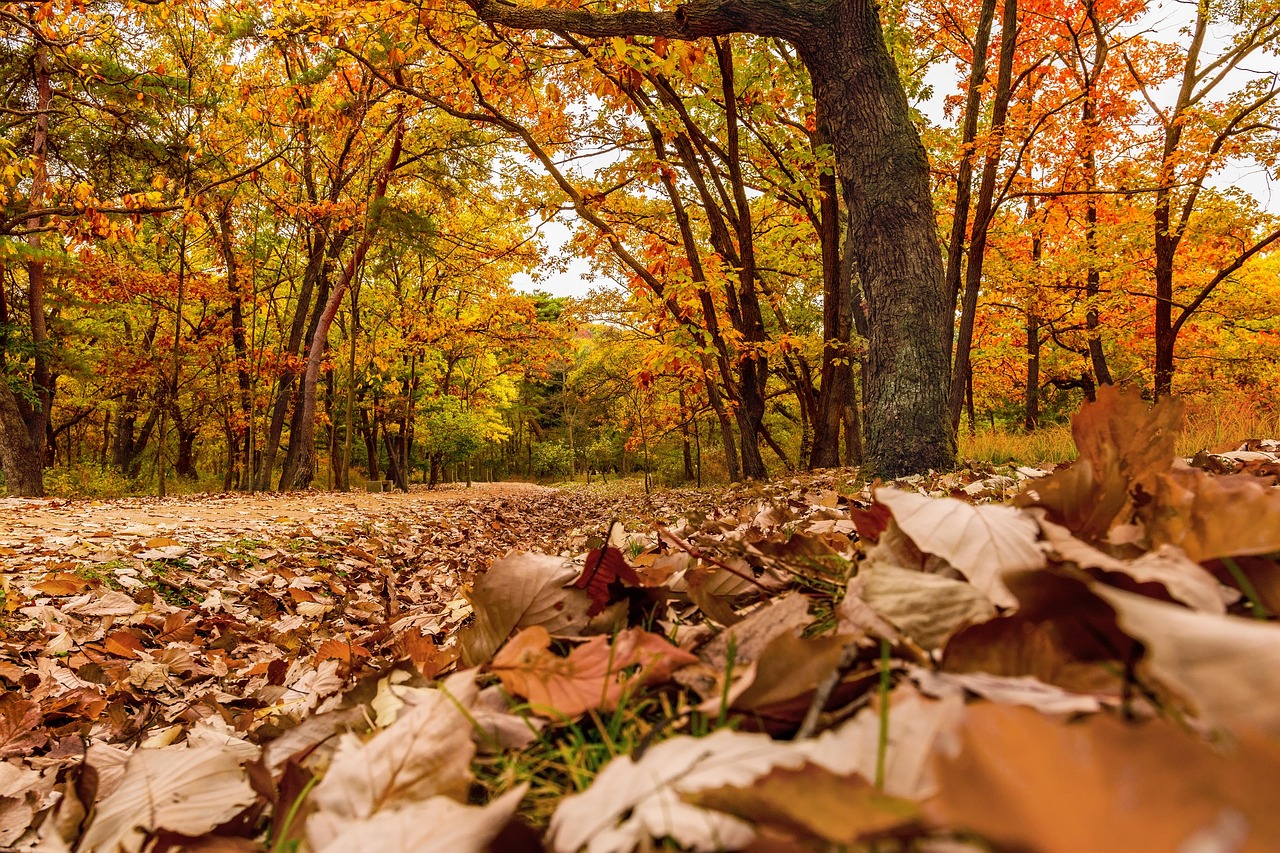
(1164, 19)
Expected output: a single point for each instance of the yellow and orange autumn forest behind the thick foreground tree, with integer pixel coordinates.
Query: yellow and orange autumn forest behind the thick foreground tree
(254, 247)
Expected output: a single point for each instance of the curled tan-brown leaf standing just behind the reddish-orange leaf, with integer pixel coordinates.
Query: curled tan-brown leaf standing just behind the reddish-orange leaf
(520, 591)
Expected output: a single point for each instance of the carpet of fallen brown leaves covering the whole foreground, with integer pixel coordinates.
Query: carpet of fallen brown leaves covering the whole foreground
(1092, 664)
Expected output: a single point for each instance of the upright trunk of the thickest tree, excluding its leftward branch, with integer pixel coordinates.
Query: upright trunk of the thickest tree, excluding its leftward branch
(886, 183)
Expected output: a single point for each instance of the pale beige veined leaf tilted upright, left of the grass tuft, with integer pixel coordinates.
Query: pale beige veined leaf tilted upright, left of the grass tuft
(426, 752)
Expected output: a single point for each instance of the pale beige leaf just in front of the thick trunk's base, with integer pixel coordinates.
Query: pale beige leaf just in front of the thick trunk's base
(982, 542)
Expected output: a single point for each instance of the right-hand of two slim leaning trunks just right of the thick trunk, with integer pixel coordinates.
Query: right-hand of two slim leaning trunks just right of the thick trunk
(962, 372)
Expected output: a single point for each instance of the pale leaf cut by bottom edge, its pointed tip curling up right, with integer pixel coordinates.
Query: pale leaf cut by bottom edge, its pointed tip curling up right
(436, 825)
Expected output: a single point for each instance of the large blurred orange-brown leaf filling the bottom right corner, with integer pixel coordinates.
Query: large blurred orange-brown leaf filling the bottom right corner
(1028, 782)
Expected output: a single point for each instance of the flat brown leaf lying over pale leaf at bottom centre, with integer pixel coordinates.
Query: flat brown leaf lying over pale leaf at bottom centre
(813, 804)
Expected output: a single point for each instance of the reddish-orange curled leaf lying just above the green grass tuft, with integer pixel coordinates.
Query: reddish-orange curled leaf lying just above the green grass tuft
(595, 676)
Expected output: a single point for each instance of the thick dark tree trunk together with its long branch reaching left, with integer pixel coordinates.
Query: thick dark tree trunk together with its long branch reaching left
(884, 174)
